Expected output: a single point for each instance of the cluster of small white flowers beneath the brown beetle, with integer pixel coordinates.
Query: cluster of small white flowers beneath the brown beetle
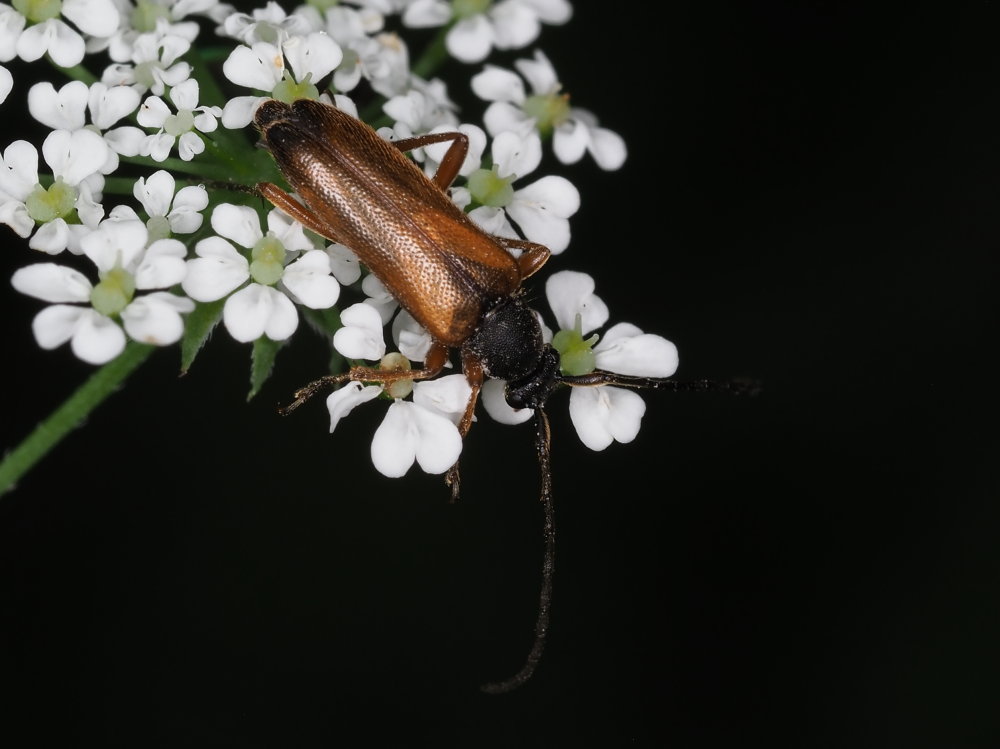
(132, 258)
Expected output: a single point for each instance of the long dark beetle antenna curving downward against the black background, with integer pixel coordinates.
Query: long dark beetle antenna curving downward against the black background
(542, 447)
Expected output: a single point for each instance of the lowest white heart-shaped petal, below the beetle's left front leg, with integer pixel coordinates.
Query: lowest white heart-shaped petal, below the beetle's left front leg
(411, 432)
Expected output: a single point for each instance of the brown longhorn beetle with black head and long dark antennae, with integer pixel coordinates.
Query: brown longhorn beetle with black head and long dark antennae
(462, 284)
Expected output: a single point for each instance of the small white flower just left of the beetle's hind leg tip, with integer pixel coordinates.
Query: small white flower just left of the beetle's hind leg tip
(168, 213)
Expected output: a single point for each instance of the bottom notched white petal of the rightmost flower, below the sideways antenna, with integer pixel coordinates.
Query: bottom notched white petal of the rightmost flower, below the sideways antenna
(604, 414)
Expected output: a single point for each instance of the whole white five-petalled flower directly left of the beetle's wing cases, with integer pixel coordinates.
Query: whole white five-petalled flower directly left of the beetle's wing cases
(259, 308)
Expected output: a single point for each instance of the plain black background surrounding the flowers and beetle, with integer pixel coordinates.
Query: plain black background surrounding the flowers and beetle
(810, 199)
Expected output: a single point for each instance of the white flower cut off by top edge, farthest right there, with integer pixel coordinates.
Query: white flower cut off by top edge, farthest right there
(508, 24)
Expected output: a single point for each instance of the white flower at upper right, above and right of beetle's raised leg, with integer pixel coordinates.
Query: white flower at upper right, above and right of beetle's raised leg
(575, 131)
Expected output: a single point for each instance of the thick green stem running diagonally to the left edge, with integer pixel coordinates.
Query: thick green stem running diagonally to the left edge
(70, 414)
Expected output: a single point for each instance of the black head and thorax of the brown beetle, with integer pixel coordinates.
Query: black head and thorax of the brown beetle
(508, 344)
